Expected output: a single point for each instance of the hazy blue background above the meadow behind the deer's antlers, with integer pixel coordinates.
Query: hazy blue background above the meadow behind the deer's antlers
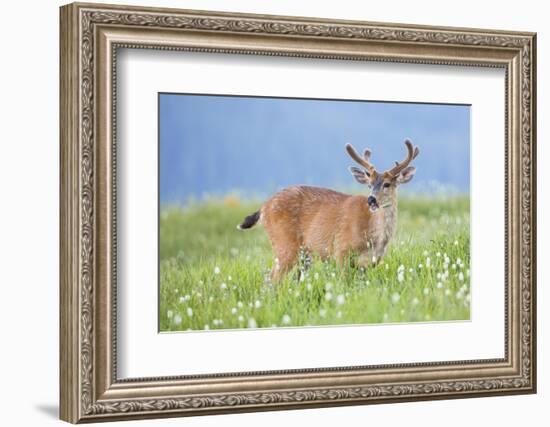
(220, 144)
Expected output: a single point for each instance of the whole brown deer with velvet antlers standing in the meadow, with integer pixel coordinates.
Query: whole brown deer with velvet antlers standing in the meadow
(329, 223)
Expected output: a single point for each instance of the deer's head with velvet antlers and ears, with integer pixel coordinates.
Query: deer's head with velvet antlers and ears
(383, 185)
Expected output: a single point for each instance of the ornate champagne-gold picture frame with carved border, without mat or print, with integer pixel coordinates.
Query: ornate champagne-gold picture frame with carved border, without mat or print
(90, 37)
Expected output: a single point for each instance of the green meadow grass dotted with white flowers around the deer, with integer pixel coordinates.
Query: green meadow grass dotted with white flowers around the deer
(212, 276)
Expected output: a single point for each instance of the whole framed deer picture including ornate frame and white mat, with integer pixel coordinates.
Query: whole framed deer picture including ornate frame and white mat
(265, 212)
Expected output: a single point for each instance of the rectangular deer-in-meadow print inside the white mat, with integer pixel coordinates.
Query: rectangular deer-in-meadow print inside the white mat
(287, 212)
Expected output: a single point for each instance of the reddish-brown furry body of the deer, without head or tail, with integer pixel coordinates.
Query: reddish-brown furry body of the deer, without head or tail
(327, 223)
